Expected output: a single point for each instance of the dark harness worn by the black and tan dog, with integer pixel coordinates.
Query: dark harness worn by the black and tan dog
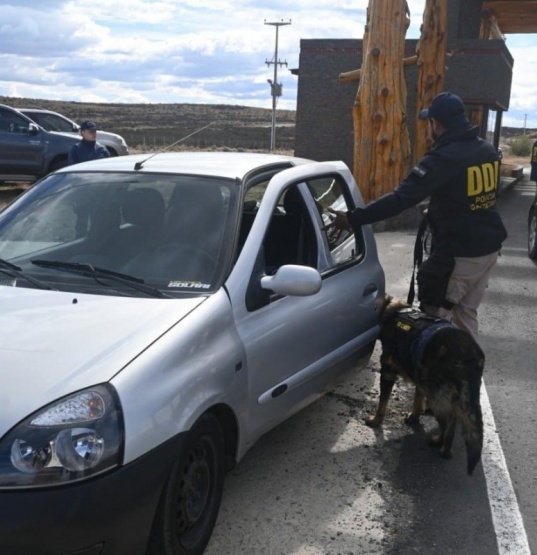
(413, 330)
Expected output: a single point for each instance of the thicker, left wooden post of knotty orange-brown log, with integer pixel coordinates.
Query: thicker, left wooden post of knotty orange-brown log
(381, 141)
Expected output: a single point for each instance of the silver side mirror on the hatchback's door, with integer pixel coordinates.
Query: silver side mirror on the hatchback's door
(293, 280)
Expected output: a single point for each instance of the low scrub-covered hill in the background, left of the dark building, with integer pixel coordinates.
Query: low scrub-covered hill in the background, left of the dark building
(153, 126)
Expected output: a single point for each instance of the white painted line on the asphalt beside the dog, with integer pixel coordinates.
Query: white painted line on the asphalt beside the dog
(508, 525)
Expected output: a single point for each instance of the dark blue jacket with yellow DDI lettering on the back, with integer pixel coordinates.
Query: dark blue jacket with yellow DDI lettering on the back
(460, 174)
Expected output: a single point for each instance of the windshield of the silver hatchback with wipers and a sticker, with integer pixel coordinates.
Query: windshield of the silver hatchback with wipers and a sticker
(172, 233)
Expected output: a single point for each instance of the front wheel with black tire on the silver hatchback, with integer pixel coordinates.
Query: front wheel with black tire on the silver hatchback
(189, 504)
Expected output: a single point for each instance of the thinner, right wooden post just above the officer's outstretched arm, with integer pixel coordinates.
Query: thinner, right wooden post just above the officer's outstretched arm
(431, 51)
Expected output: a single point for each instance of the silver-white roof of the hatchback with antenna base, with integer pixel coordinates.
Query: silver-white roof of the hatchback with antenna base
(223, 164)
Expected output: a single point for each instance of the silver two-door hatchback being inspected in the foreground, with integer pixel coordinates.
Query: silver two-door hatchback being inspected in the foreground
(159, 314)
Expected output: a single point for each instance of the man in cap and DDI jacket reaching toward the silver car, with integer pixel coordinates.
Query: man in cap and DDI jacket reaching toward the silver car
(460, 175)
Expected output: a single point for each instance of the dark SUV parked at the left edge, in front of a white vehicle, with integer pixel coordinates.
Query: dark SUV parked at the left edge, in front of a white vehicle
(28, 149)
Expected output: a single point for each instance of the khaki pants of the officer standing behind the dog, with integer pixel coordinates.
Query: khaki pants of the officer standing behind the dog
(465, 290)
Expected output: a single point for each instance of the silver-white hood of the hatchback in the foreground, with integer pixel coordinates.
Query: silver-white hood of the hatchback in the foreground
(54, 343)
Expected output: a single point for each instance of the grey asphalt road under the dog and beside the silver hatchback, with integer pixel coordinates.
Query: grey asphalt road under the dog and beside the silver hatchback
(323, 483)
